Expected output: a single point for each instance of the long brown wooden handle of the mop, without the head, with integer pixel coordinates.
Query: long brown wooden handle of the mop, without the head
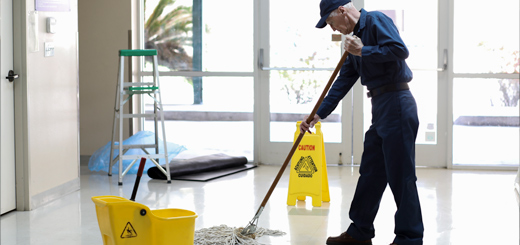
(309, 119)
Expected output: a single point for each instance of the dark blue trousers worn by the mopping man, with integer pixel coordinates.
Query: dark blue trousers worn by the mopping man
(389, 158)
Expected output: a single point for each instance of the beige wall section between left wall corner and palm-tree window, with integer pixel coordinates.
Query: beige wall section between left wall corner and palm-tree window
(103, 31)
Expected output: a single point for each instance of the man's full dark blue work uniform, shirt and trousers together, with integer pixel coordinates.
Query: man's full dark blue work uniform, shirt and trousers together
(389, 147)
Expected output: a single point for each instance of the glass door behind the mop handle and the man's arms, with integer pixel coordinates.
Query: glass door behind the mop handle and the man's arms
(295, 62)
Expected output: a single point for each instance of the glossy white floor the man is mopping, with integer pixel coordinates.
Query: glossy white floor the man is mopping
(459, 207)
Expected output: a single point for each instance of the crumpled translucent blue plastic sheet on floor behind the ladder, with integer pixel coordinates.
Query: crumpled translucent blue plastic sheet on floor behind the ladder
(99, 160)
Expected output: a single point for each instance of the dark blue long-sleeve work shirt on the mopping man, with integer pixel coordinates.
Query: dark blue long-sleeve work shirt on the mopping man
(382, 60)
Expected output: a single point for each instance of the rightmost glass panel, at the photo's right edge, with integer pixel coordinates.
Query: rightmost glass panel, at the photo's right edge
(485, 98)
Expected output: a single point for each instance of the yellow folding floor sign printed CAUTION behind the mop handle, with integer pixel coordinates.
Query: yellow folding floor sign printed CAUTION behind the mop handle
(308, 176)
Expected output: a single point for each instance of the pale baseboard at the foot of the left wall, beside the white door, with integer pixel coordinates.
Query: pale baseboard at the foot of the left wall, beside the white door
(55, 193)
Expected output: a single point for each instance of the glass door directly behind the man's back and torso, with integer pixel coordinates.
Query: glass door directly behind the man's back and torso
(424, 35)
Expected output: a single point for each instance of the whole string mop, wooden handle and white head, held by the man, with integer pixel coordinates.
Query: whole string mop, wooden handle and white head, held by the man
(234, 236)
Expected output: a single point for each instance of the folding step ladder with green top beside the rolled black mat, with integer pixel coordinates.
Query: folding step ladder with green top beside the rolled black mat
(134, 88)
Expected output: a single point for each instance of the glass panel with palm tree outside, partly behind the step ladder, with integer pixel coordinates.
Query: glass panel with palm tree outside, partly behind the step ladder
(206, 69)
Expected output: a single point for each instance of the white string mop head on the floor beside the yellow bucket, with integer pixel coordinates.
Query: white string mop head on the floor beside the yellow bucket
(224, 235)
